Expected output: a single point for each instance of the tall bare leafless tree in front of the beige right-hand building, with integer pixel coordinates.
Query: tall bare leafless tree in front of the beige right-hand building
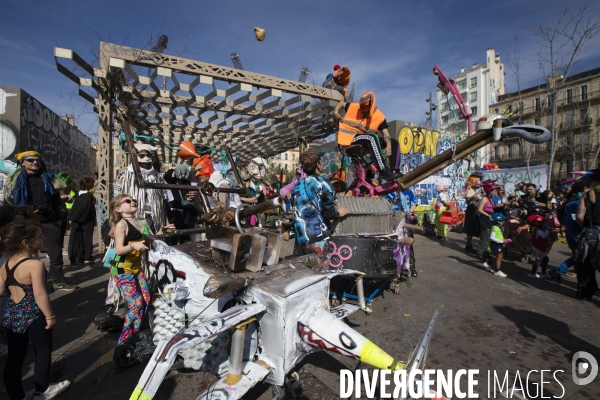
(561, 43)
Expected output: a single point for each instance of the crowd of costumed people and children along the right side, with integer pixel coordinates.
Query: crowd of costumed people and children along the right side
(528, 222)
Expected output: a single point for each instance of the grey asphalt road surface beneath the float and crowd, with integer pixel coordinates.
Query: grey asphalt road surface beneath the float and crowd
(485, 322)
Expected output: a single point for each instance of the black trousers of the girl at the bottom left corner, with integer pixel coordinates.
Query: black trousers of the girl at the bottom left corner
(41, 339)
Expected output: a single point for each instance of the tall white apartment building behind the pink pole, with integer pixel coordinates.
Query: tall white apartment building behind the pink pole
(480, 86)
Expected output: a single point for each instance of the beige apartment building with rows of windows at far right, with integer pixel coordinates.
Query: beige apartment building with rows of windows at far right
(577, 124)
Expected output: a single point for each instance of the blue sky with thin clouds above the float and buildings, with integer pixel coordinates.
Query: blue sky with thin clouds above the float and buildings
(390, 46)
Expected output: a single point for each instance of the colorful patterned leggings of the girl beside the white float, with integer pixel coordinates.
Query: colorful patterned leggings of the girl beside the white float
(135, 292)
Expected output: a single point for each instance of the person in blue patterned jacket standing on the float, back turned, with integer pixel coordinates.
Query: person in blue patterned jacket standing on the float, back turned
(314, 208)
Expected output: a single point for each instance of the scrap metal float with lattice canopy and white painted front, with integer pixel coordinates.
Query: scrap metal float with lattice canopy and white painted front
(229, 306)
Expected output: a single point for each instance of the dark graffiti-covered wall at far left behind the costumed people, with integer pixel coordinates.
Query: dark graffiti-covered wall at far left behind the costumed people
(27, 124)
